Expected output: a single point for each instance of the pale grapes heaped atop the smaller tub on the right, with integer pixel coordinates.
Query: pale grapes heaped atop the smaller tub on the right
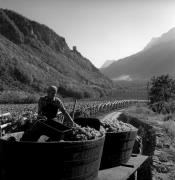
(115, 125)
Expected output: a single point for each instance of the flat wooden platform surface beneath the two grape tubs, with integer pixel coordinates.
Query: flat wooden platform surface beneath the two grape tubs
(122, 172)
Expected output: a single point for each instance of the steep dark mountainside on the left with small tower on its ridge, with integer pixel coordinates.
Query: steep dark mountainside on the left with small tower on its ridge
(33, 56)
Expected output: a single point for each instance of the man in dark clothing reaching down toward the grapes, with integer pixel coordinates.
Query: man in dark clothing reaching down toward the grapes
(48, 107)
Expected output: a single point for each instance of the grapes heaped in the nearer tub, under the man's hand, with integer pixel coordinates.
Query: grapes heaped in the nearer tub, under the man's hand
(79, 133)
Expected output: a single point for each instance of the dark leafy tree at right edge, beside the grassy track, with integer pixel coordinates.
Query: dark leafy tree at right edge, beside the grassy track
(161, 91)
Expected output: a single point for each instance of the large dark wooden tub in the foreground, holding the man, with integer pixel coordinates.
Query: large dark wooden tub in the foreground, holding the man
(65, 160)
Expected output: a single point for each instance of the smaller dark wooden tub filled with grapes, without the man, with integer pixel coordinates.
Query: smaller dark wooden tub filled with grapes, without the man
(117, 148)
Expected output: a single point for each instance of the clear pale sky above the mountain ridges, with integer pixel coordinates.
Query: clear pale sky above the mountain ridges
(101, 29)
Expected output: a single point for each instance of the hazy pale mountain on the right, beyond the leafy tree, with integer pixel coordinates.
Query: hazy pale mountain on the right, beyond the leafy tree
(157, 58)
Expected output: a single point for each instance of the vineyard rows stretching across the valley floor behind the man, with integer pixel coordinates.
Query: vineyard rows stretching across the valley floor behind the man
(20, 113)
